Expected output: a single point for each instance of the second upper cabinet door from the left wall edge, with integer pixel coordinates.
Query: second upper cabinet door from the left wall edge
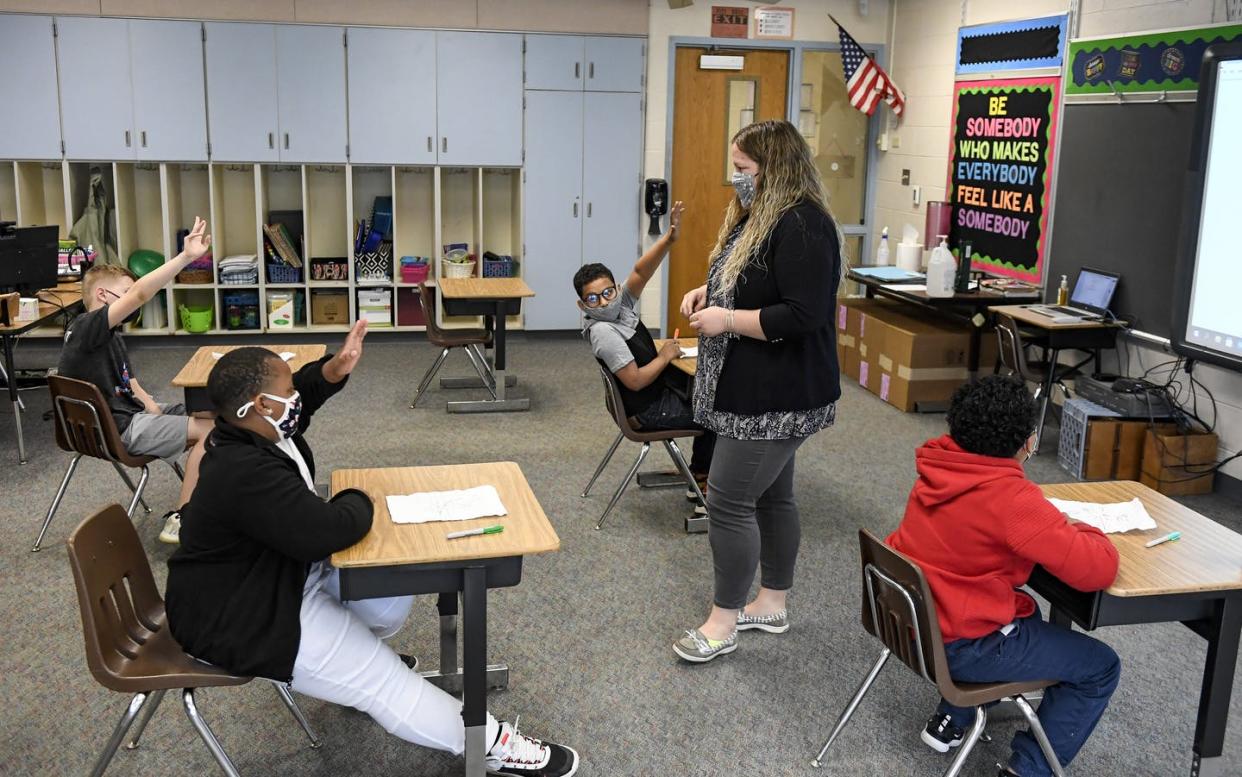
(96, 99)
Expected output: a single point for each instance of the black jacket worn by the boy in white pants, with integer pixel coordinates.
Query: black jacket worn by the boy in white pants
(249, 536)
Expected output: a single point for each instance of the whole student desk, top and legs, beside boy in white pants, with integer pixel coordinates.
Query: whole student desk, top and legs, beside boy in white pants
(409, 559)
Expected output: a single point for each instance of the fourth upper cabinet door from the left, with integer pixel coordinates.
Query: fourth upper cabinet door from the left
(242, 91)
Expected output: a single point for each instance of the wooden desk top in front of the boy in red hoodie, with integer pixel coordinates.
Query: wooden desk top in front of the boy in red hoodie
(1208, 557)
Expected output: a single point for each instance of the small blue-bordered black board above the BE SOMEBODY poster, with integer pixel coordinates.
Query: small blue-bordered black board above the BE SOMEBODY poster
(1025, 44)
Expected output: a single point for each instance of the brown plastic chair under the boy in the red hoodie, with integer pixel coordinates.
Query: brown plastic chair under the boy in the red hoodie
(899, 610)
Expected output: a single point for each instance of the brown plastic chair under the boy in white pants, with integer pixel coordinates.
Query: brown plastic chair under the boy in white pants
(129, 646)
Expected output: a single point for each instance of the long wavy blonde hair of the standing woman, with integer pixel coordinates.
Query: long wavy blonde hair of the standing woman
(788, 177)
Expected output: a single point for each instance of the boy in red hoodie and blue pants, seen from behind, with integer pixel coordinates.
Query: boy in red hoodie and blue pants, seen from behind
(978, 527)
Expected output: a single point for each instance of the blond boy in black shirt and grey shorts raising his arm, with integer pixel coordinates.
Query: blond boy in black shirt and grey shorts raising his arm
(96, 353)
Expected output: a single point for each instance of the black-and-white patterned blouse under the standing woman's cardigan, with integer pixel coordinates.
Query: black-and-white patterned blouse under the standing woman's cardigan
(784, 425)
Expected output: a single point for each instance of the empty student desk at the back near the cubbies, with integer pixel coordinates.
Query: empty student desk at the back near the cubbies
(495, 300)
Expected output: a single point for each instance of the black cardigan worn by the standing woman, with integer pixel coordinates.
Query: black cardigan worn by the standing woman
(794, 287)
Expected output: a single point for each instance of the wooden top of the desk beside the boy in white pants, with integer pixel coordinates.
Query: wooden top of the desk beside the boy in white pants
(526, 528)
